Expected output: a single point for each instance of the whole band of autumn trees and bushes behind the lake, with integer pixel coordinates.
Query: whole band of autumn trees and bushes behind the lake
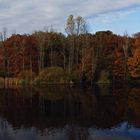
(80, 56)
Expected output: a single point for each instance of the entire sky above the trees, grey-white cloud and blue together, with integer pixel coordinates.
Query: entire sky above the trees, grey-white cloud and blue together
(25, 16)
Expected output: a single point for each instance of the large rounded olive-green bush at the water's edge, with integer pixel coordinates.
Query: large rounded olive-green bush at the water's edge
(51, 75)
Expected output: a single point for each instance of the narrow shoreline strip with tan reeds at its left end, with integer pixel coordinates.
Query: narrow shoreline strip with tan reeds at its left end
(8, 82)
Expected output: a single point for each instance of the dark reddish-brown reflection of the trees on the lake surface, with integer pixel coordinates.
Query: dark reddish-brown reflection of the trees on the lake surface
(54, 107)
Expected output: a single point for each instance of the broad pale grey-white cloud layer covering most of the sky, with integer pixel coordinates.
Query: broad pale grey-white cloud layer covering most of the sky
(29, 15)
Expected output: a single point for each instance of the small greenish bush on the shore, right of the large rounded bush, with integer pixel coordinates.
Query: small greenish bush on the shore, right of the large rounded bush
(104, 78)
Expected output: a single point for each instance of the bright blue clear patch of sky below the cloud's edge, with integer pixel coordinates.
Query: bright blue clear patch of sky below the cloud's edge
(129, 23)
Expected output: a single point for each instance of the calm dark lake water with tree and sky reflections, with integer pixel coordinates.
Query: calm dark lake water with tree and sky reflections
(59, 113)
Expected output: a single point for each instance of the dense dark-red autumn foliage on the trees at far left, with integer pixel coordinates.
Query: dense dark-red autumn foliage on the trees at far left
(21, 54)
